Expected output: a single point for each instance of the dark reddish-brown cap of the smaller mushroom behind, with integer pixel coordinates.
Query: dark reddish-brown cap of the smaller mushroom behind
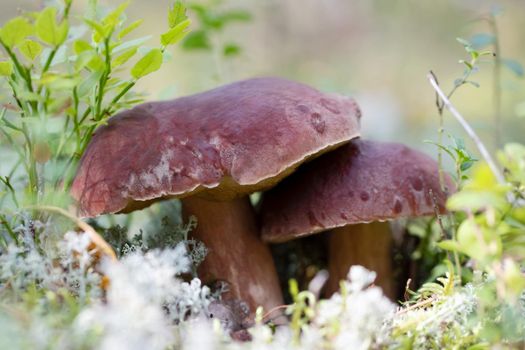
(360, 182)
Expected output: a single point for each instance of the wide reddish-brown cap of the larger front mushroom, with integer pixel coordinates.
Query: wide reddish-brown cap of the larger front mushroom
(229, 141)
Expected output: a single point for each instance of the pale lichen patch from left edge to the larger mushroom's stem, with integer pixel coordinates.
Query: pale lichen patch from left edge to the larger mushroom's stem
(140, 308)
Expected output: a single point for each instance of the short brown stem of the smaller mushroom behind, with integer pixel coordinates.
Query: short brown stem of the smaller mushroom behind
(368, 245)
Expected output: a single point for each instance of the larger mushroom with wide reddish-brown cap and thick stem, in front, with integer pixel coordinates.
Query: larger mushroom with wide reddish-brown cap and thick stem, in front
(212, 150)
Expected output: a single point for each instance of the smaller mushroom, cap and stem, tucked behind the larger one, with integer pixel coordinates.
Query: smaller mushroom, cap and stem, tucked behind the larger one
(352, 191)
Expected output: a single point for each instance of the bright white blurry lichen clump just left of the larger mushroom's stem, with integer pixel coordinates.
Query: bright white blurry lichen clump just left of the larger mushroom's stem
(144, 301)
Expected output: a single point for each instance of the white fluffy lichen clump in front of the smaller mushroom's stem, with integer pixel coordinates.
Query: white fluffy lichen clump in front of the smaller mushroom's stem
(354, 318)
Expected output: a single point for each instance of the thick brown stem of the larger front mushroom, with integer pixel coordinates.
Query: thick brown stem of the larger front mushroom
(236, 254)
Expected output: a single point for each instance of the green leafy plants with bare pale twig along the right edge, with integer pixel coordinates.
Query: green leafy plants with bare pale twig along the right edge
(487, 224)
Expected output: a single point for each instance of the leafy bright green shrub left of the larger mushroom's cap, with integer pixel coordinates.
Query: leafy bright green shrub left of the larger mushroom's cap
(62, 81)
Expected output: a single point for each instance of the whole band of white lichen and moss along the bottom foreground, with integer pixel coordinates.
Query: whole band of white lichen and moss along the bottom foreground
(67, 299)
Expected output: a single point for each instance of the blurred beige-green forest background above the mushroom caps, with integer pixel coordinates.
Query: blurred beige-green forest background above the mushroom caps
(378, 51)
